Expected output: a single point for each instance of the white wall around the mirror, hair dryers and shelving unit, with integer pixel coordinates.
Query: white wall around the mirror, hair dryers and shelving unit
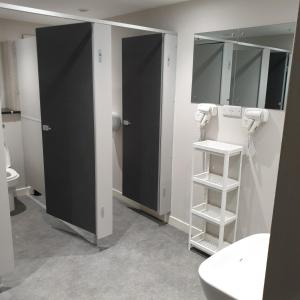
(258, 189)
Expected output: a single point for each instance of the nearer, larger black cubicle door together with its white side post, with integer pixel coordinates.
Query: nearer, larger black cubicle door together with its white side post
(75, 94)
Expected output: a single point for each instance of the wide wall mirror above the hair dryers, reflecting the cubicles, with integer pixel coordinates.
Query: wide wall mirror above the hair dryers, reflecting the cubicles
(248, 67)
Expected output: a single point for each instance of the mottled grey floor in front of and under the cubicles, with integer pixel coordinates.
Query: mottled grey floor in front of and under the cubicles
(146, 260)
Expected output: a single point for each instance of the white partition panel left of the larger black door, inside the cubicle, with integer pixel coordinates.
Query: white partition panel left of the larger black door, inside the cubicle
(27, 69)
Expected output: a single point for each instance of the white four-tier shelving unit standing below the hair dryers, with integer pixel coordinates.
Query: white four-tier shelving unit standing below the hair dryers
(207, 212)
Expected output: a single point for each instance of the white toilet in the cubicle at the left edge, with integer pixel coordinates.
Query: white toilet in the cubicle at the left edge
(11, 178)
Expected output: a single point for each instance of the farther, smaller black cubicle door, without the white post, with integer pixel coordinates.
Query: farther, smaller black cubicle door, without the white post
(142, 79)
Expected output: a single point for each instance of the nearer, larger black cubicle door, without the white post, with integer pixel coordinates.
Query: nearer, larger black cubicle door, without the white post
(66, 93)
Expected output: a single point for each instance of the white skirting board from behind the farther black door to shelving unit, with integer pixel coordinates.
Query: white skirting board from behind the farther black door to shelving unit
(173, 221)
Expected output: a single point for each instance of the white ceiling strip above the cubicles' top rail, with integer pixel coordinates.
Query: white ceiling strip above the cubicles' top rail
(101, 9)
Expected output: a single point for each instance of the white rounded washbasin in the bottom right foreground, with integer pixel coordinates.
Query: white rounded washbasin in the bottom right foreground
(237, 271)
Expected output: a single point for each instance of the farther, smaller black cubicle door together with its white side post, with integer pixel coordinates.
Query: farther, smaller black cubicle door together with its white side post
(148, 105)
